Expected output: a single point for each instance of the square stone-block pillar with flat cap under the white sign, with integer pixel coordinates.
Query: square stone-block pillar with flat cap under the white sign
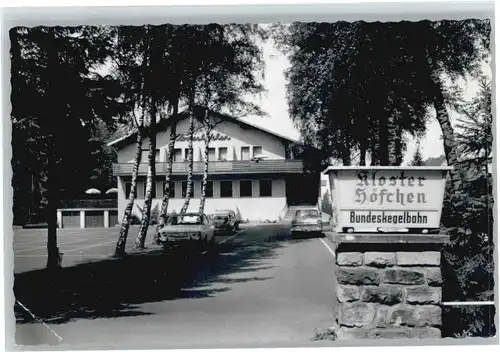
(388, 286)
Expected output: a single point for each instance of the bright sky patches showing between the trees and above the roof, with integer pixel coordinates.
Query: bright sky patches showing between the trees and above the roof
(275, 105)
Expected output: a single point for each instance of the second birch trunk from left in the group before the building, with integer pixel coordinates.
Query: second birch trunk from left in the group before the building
(150, 180)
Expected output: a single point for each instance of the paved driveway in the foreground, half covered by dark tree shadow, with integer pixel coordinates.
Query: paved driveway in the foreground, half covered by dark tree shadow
(258, 288)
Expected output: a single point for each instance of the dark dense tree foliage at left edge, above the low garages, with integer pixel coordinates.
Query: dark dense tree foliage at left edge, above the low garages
(82, 98)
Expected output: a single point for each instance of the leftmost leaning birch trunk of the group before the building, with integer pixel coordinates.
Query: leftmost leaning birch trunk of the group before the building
(122, 238)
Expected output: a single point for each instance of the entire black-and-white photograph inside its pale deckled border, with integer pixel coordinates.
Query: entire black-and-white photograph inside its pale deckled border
(233, 184)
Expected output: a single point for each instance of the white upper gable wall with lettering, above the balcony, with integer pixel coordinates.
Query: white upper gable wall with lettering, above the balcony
(271, 146)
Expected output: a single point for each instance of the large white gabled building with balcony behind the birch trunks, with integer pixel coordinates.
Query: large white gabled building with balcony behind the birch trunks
(253, 171)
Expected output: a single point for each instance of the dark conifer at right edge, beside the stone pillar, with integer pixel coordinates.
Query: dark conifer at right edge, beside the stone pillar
(468, 218)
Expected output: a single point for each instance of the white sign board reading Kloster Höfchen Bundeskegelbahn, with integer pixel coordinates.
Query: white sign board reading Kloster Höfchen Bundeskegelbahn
(388, 197)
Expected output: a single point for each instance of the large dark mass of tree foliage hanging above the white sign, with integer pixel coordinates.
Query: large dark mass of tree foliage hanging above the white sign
(358, 86)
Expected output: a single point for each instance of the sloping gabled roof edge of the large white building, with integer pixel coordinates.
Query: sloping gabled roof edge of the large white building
(163, 125)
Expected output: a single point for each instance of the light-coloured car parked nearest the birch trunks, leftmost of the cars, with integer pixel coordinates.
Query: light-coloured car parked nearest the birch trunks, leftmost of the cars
(192, 228)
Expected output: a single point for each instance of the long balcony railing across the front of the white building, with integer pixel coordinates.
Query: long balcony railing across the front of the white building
(217, 167)
